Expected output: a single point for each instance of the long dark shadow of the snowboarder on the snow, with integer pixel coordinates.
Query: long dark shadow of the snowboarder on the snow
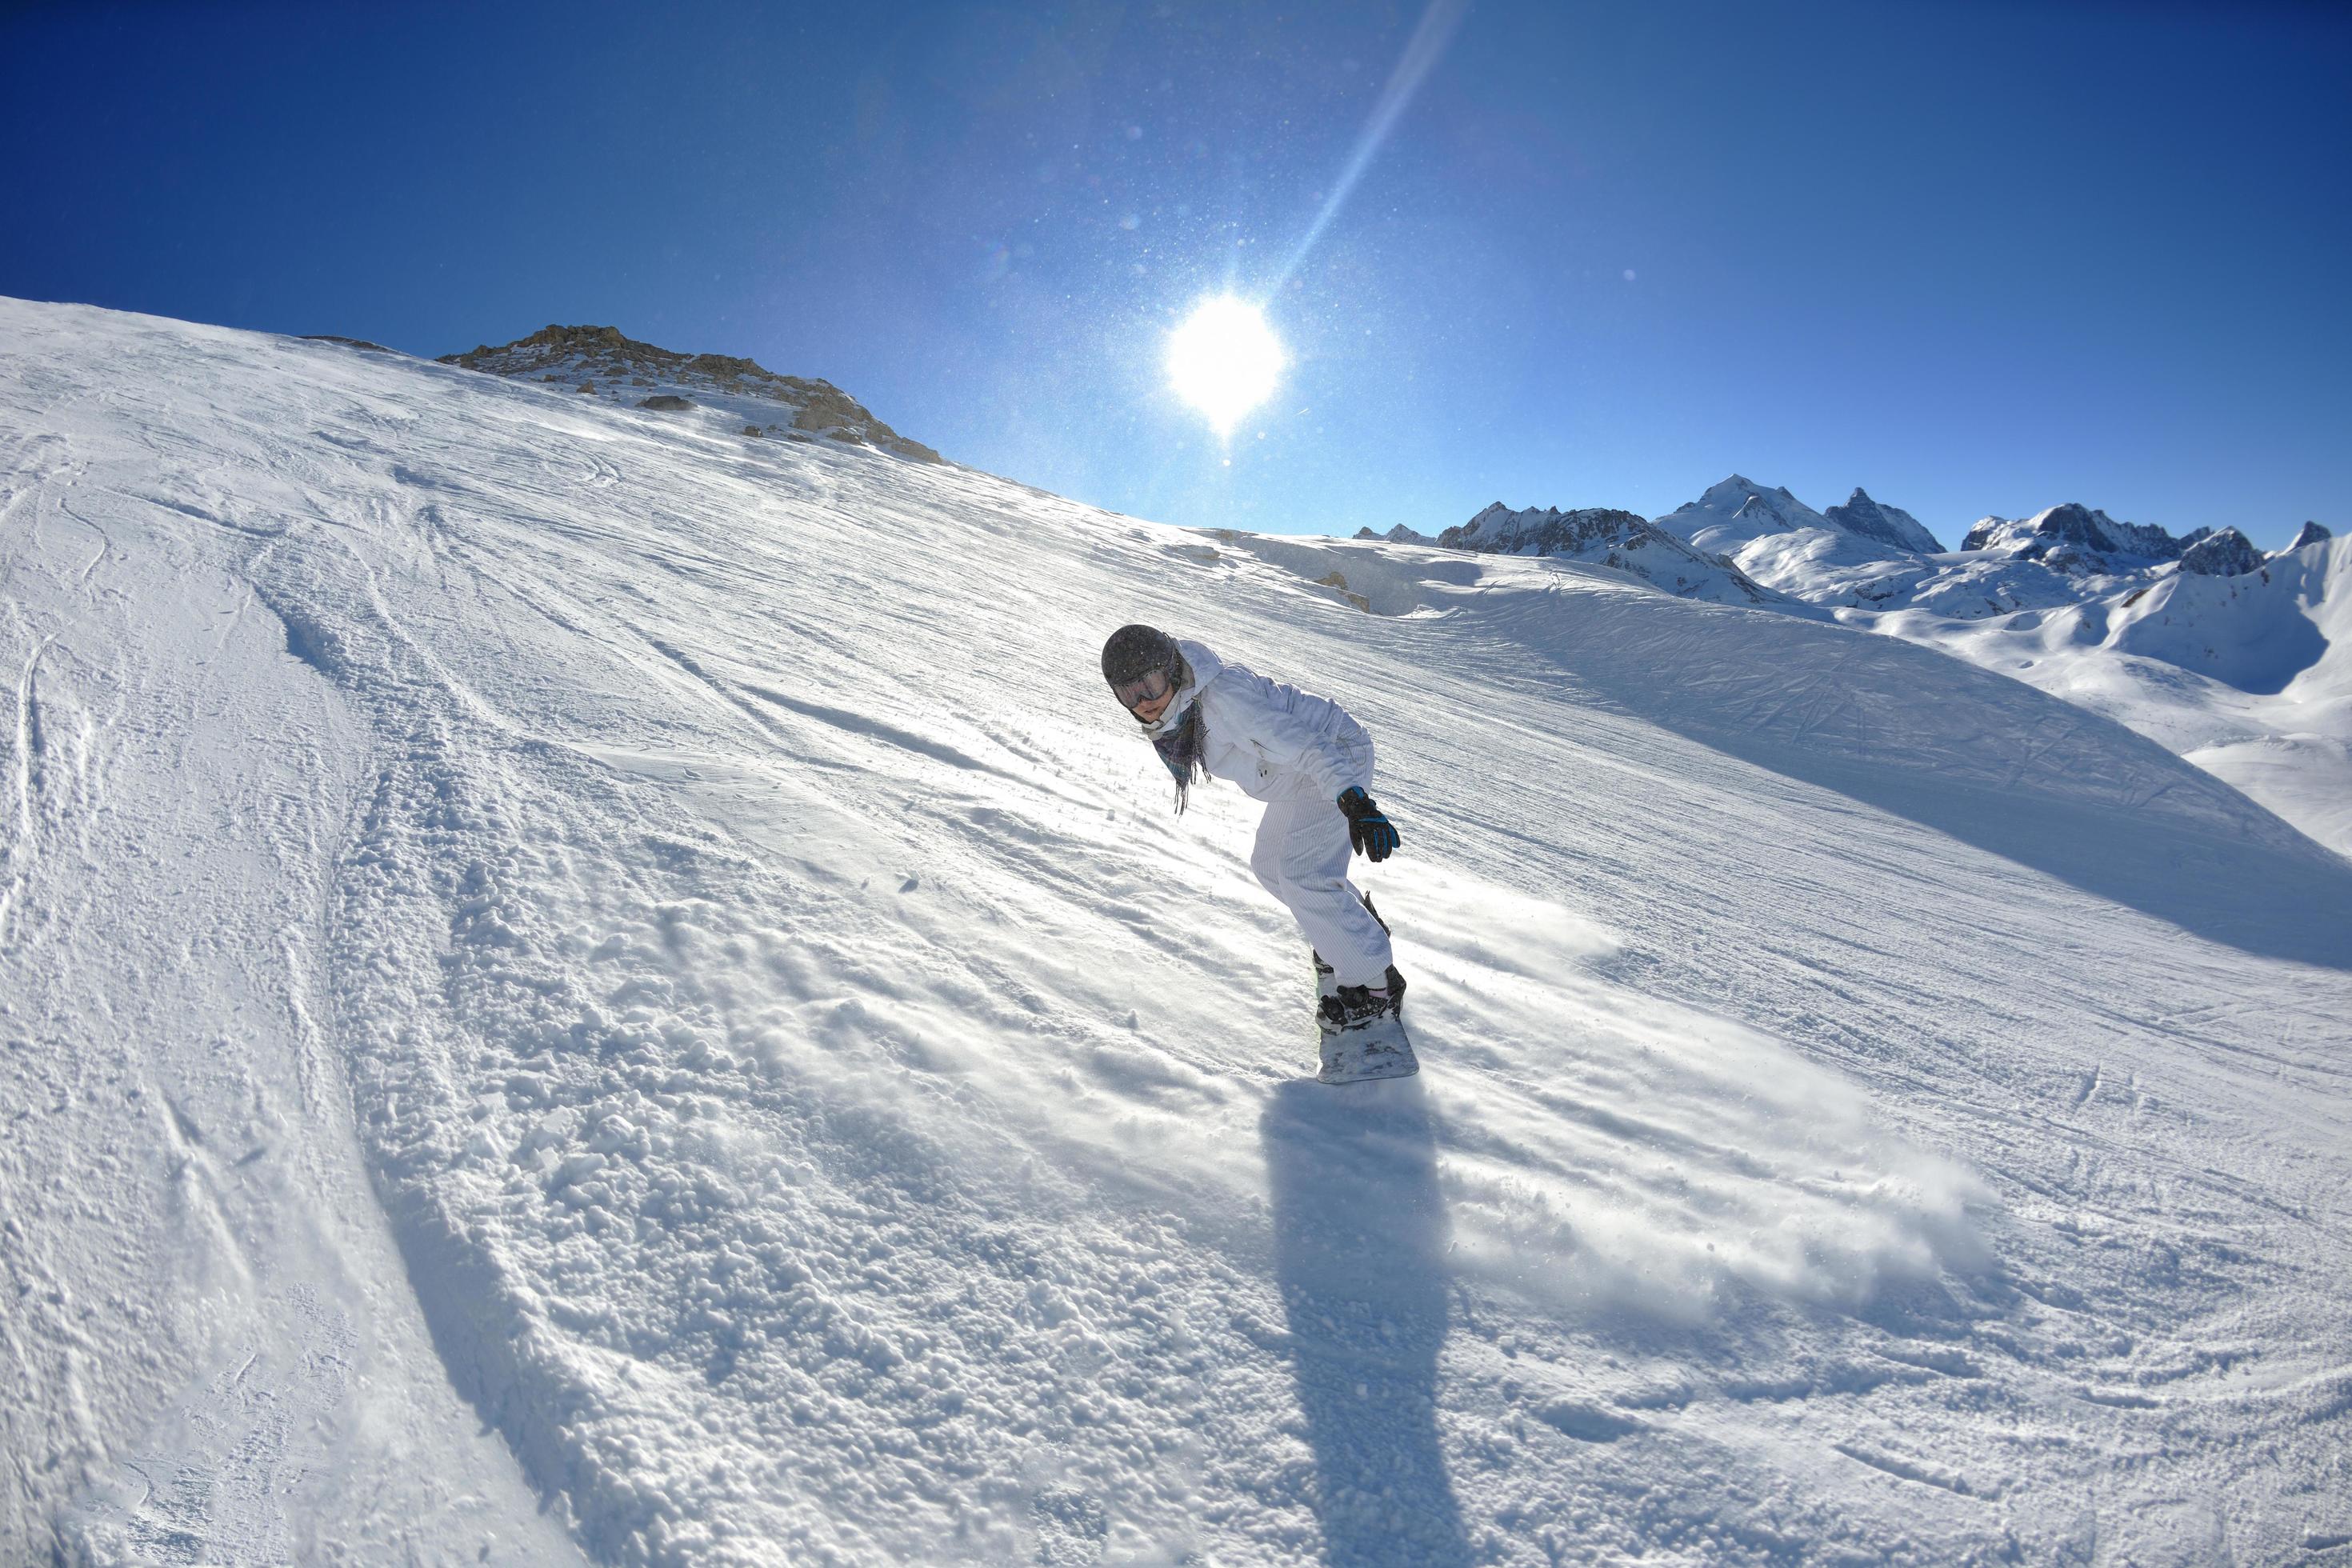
(1361, 1240)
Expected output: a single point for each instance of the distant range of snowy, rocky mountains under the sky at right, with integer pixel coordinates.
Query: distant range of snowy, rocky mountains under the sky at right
(2236, 659)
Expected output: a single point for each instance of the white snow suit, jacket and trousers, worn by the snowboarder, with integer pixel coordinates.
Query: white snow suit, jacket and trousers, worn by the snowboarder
(1297, 753)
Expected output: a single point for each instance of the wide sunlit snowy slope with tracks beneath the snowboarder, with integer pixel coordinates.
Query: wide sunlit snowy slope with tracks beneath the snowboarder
(662, 937)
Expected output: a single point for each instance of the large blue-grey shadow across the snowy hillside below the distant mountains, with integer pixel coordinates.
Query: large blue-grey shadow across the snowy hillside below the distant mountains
(1972, 756)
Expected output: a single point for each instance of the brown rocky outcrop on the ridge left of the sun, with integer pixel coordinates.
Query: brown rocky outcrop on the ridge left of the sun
(610, 366)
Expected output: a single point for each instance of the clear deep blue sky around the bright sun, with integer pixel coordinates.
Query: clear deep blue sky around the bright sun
(1977, 257)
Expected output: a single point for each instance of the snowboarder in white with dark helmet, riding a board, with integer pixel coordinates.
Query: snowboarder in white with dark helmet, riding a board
(1311, 763)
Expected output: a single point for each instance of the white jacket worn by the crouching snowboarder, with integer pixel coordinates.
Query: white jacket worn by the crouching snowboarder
(1271, 739)
